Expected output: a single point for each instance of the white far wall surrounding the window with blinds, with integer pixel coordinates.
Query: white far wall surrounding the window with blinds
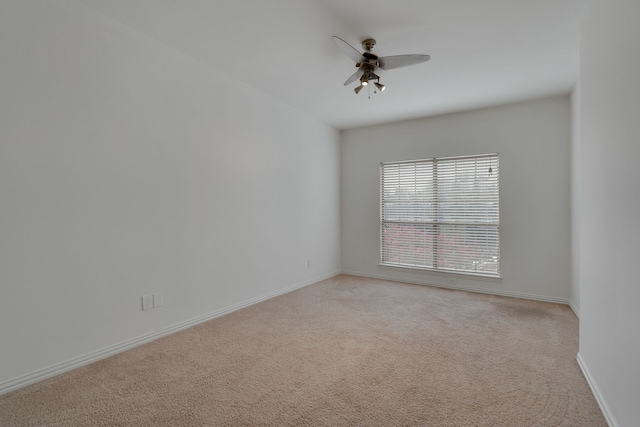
(533, 140)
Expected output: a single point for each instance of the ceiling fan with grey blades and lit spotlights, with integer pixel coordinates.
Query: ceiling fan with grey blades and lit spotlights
(371, 65)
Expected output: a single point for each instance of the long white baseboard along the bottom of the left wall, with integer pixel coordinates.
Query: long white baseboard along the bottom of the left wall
(76, 362)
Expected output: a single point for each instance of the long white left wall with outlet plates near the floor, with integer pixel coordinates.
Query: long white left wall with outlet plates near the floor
(127, 168)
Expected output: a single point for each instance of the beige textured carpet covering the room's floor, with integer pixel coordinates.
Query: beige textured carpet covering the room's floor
(347, 351)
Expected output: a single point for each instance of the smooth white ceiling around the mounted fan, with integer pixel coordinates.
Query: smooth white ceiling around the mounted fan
(484, 52)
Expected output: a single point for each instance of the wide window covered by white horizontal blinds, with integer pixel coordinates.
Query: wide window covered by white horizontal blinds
(441, 214)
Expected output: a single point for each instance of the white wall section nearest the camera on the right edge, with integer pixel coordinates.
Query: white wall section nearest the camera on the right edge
(610, 205)
